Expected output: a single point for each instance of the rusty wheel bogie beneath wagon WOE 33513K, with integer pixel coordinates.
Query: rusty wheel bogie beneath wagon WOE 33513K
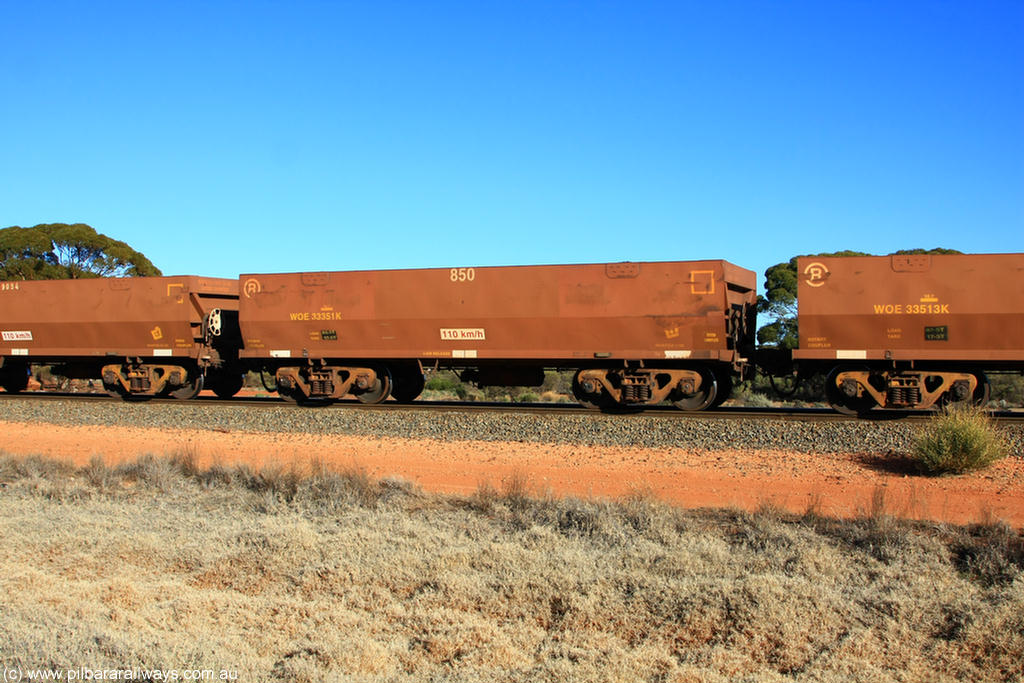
(905, 390)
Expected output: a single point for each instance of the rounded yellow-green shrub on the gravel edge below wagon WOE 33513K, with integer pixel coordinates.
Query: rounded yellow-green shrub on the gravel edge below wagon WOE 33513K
(957, 441)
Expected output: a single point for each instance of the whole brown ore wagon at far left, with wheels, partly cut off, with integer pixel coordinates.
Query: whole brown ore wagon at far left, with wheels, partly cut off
(144, 336)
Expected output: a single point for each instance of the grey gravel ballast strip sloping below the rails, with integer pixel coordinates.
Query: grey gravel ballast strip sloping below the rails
(637, 431)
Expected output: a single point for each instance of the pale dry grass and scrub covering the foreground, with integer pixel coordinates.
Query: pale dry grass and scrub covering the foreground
(309, 575)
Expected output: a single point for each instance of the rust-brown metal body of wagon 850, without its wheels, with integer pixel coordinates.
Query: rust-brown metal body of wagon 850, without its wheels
(668, 312)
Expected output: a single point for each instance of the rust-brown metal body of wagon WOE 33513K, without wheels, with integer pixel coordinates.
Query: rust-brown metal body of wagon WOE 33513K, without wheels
(920, 308)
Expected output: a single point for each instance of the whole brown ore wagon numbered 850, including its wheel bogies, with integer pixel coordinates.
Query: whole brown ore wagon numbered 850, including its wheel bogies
(634, 333)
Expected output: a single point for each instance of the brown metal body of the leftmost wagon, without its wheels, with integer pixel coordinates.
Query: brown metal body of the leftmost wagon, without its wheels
(144, 318)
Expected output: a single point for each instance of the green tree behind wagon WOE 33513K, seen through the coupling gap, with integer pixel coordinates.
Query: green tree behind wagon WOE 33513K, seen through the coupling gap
(780, 300)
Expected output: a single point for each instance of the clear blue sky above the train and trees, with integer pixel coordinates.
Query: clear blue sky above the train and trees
(228, 138)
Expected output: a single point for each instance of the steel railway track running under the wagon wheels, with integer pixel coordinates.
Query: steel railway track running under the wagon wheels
(809, 414)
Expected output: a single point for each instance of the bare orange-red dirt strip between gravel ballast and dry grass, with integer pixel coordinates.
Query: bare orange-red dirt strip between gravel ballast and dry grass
(833, 485)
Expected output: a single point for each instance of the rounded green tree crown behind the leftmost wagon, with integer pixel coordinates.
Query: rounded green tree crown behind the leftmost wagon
(59, 251)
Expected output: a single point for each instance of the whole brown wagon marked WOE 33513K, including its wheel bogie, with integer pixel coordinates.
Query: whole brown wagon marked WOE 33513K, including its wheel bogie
(911, 331)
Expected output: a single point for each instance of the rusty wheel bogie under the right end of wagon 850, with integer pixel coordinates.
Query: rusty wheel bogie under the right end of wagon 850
(636, 387)
